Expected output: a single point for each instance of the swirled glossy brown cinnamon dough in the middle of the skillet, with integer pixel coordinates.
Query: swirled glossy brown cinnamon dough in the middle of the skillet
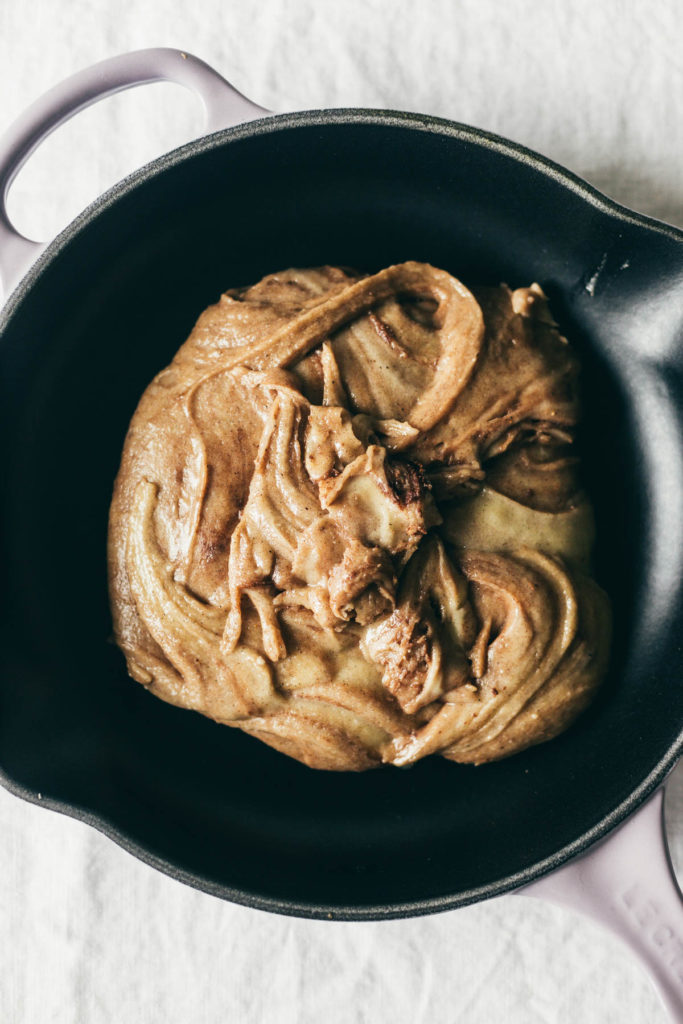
(348, 522)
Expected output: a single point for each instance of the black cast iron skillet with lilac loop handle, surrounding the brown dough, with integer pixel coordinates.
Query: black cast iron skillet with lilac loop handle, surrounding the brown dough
(109, 304)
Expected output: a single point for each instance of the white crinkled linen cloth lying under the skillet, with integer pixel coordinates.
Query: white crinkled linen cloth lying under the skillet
(88, 934)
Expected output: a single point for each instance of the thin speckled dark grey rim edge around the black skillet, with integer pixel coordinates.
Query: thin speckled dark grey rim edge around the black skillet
(272, 125)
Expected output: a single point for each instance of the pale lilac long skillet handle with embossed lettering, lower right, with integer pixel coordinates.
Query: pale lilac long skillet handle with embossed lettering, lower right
(627, 884)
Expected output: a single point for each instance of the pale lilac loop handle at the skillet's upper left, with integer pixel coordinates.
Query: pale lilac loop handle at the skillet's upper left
(223, 104)
